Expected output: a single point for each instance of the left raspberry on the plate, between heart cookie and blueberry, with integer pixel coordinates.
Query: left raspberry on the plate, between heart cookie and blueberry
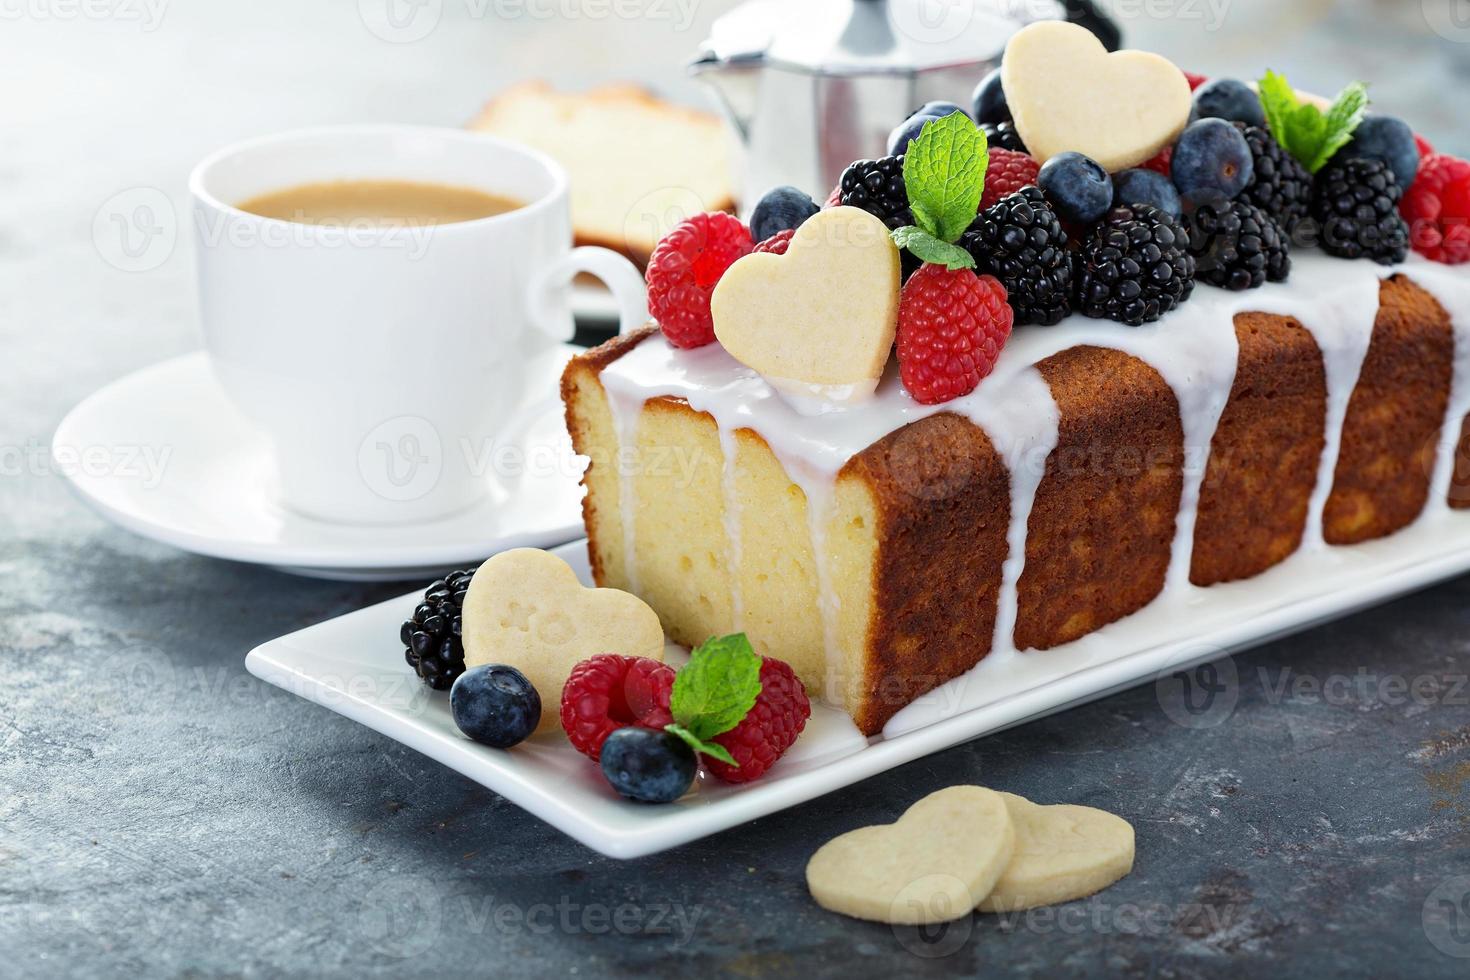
(609, 693)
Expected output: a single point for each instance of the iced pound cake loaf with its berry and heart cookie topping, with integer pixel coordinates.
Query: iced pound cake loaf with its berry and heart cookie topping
(1087, 414)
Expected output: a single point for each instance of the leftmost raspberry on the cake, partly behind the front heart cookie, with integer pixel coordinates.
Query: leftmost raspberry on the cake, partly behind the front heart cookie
(683, 273)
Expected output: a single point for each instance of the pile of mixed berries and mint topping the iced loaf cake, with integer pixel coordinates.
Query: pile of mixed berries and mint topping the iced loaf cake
(992, 236)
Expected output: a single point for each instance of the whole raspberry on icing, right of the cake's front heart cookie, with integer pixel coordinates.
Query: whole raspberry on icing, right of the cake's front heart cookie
(952, 327)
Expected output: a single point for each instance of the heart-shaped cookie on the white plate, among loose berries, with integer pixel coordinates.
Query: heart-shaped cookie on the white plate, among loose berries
(527, 609)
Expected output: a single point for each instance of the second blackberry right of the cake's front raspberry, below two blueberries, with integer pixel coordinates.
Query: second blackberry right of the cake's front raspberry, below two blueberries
(1134, 267)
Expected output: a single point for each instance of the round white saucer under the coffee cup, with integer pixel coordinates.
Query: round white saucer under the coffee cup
(165, 456)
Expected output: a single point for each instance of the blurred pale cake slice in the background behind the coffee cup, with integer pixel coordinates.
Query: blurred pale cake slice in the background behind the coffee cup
(637, 164)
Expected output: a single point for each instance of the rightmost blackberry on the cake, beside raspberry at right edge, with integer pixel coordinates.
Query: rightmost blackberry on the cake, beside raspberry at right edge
(1356, 205)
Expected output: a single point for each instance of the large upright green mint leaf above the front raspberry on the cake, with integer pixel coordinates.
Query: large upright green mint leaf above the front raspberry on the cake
(944, 174)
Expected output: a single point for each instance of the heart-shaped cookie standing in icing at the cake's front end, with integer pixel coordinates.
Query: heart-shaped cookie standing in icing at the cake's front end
(821, 317)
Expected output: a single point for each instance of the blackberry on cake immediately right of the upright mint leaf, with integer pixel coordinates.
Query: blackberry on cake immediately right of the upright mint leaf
(1019, 240)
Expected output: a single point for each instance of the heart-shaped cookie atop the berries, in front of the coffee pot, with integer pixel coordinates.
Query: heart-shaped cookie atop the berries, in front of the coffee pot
(1066, 92)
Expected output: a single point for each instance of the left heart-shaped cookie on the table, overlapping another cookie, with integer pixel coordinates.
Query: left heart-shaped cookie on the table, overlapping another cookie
(934, 865)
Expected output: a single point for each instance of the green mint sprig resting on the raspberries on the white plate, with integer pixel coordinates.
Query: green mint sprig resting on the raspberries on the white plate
(714, 693)
